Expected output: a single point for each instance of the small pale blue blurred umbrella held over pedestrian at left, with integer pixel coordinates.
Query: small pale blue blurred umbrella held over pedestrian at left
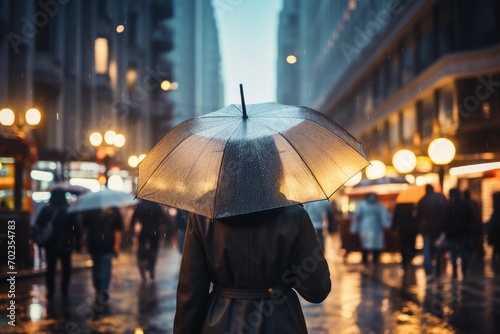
(104, 198)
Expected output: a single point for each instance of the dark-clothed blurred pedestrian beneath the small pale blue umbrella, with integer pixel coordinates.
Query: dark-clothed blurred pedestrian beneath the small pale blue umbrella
(104, 228)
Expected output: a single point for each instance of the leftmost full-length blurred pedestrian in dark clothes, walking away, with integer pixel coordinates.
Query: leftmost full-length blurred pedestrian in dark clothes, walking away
(59, 246)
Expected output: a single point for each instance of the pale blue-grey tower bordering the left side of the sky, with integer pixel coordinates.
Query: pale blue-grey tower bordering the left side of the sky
(196, 60)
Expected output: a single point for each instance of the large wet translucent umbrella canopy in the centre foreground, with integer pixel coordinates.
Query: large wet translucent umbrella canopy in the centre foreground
(231, 162)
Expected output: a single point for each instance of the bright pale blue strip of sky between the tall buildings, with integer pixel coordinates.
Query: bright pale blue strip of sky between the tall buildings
(248, 38)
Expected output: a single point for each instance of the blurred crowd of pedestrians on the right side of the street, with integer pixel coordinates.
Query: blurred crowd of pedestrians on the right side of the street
(451, 227)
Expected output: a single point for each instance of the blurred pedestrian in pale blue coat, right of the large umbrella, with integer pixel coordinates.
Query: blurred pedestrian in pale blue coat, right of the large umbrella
(371, 218)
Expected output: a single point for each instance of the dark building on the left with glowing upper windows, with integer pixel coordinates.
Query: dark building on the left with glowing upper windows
(88, 66)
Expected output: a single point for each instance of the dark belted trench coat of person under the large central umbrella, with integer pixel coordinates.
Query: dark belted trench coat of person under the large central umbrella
(255, 263)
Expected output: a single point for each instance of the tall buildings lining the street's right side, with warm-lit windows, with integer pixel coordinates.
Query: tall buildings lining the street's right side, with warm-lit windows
(398, 74)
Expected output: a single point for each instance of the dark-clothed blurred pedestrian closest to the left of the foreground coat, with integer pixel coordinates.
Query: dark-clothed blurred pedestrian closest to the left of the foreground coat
(148, 217)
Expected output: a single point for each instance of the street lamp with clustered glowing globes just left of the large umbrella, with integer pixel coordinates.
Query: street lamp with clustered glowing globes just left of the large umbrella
(106, 148)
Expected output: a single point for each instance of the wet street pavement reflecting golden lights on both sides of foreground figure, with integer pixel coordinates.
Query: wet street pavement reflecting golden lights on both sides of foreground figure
(364, 299)
